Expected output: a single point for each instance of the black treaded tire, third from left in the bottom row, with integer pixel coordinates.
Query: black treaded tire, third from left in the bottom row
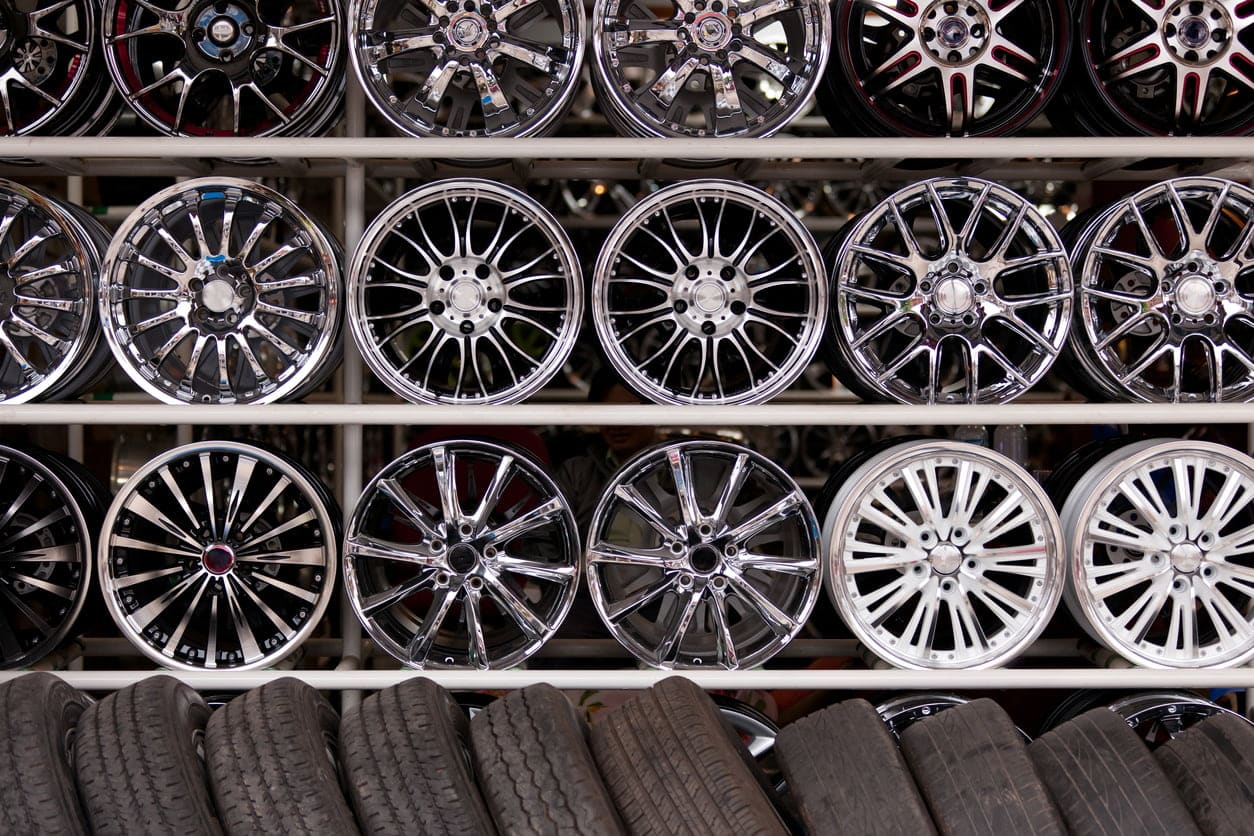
(270, 763)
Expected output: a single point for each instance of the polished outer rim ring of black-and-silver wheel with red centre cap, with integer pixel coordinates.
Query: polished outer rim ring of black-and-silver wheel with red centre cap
(303, 482)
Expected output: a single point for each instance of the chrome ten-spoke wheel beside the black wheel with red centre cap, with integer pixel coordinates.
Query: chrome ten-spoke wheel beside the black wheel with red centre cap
(462, 555)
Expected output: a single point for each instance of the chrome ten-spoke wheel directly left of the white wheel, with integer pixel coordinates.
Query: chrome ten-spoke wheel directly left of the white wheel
(703, 555)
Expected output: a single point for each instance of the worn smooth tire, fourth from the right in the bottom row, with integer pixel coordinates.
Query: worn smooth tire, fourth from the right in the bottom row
(848, 776)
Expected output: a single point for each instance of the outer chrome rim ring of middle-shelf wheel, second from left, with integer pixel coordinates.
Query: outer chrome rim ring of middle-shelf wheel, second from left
(324, 249)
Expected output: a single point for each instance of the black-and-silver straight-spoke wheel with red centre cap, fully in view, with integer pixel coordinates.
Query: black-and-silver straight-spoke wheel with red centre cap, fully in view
(219, 556)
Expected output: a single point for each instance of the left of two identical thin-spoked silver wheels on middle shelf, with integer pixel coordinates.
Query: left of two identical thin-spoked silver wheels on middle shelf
(466, 291)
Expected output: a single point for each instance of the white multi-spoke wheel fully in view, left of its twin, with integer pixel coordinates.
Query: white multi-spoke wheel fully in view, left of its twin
(944, 555)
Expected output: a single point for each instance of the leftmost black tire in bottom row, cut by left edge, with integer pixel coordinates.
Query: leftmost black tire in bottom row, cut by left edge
(38, 718)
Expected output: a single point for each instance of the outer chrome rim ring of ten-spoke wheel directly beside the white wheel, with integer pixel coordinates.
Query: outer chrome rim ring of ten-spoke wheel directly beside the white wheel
(644, 462)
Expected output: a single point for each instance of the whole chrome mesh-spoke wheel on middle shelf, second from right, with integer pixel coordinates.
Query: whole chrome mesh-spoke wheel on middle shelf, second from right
(951, 291)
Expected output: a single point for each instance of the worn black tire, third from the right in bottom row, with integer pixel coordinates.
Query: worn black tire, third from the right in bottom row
(974, 770)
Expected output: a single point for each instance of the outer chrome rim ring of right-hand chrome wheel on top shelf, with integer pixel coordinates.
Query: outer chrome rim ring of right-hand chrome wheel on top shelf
(629, 117)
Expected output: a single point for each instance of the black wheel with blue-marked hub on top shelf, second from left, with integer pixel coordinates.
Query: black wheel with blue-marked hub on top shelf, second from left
(224, 68)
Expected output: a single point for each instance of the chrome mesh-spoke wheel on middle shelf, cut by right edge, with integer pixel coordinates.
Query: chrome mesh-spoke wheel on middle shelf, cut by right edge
(1167, 294)
